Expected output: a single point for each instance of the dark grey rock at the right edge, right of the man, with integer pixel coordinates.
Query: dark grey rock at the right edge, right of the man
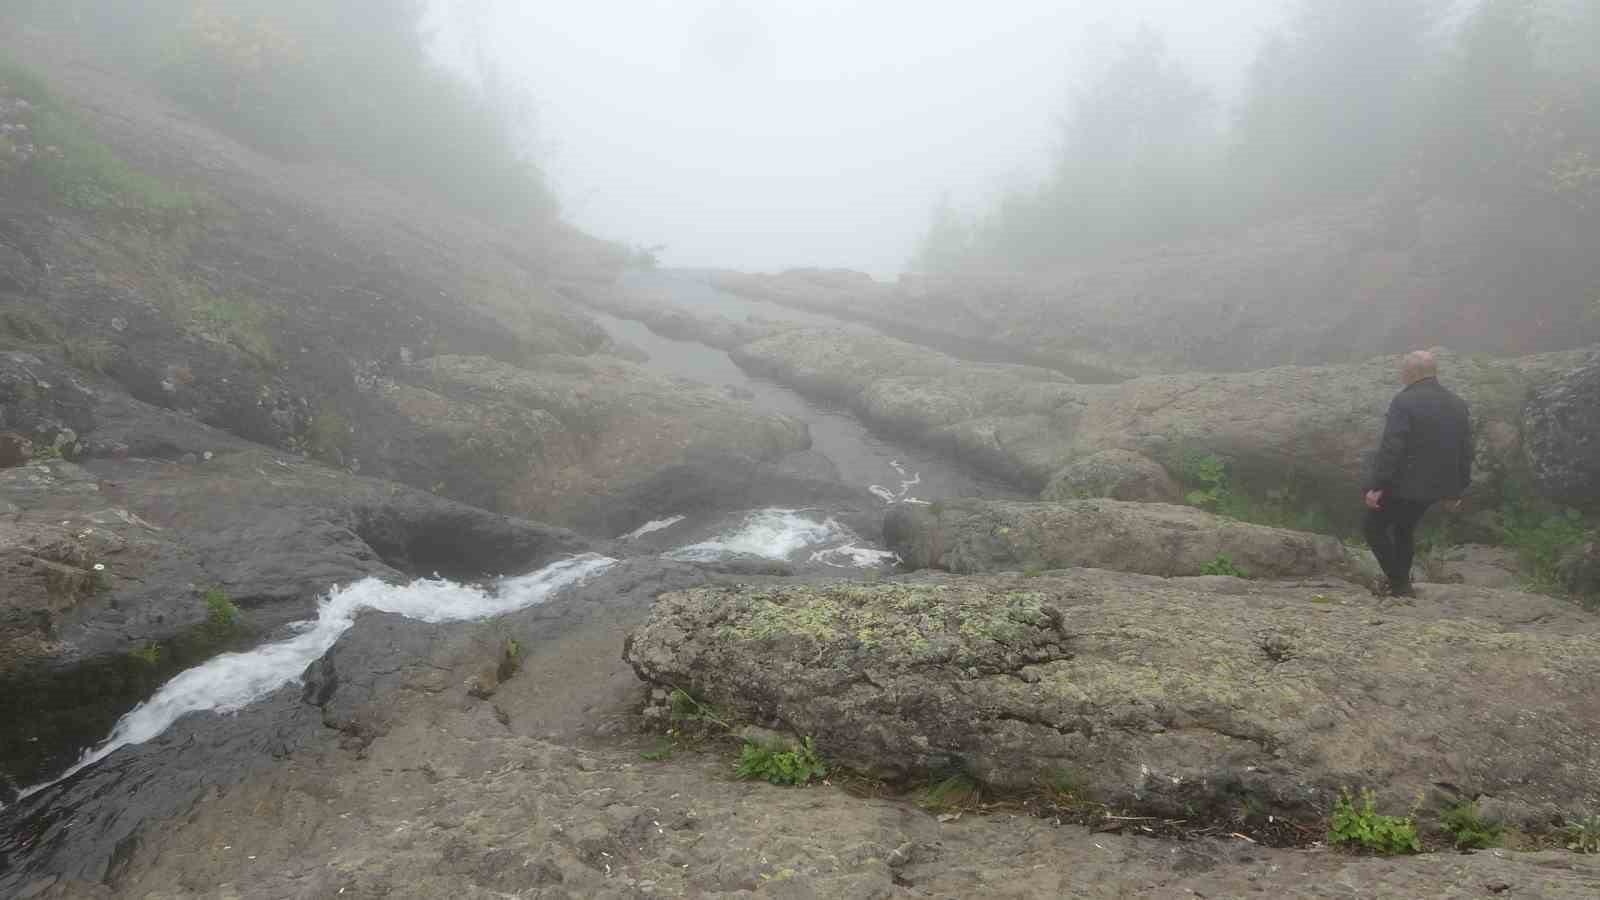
(1562, 424)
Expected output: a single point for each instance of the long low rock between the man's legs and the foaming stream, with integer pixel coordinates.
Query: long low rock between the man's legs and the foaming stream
(993, 536)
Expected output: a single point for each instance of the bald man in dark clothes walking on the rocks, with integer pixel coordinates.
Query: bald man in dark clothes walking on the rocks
(1426, 456)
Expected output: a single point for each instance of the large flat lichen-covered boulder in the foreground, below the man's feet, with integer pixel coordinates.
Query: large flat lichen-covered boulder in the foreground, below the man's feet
(1186, 699)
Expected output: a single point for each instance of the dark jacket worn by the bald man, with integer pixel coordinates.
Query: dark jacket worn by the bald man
(1428, 446)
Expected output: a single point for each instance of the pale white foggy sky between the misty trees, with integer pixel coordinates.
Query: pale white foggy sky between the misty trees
(772, 134)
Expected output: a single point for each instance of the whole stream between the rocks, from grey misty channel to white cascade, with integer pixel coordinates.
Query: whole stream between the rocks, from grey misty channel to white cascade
(894, 473)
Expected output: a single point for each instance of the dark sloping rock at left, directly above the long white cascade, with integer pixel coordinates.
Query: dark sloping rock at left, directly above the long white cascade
(113, 556)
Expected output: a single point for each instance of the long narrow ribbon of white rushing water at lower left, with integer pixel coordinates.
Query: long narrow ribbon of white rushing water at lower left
(233, 681)
